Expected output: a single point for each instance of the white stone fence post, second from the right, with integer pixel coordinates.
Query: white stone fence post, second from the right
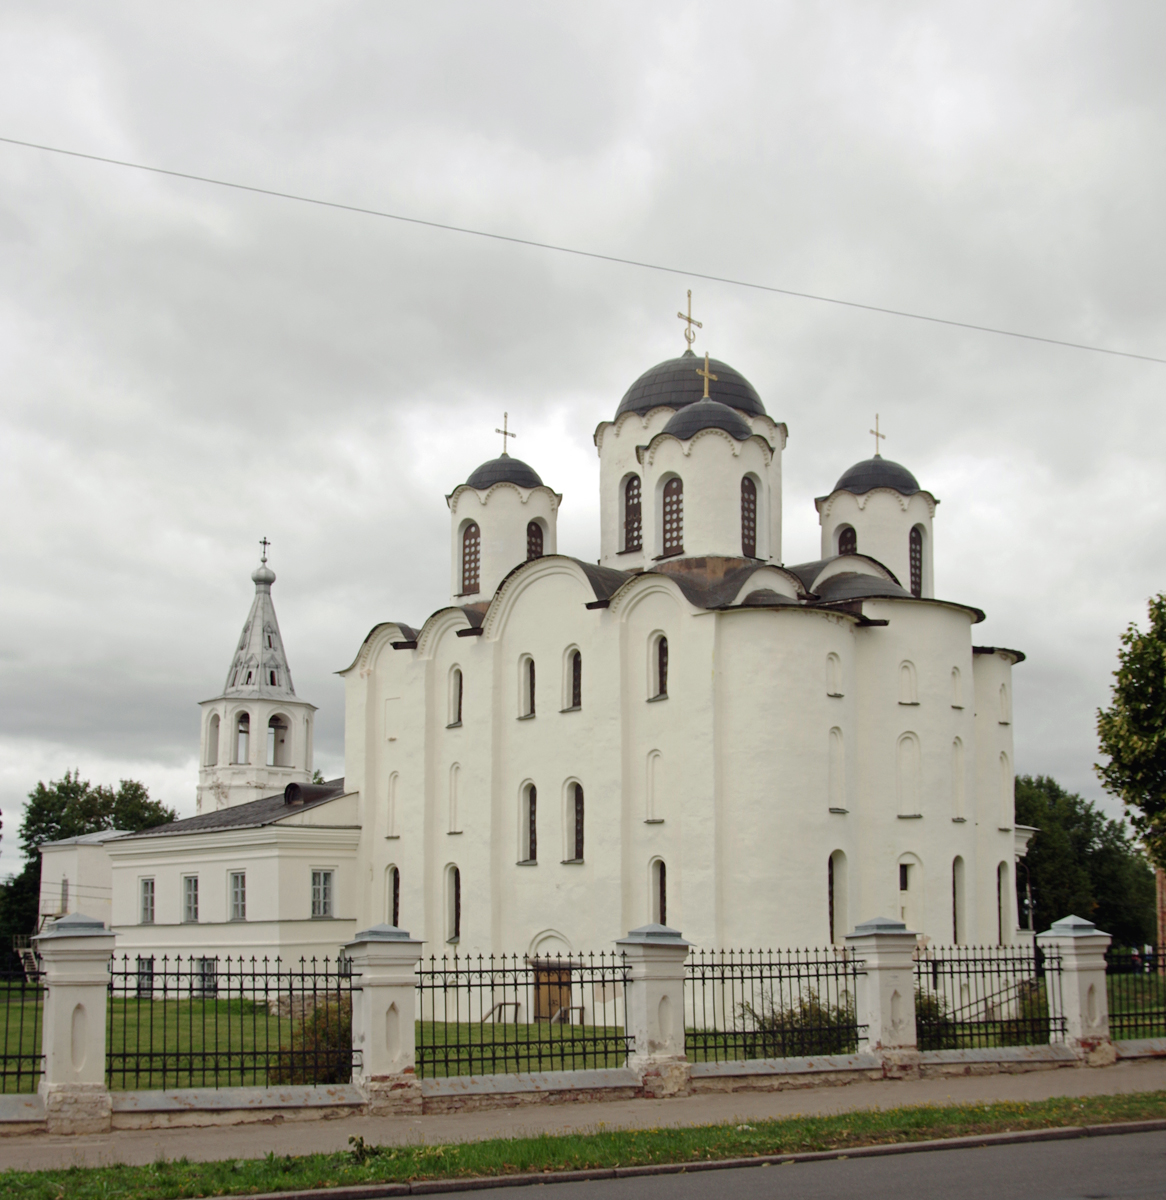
(887, 992)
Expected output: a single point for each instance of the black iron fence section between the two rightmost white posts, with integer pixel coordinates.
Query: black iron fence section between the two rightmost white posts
(982, 997)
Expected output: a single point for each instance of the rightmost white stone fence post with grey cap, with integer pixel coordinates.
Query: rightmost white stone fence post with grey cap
(1081, 998)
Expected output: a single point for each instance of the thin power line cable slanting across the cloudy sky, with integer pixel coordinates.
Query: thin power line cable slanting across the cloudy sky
(585, 254)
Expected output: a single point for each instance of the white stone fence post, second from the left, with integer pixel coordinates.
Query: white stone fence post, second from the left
(384, 1013)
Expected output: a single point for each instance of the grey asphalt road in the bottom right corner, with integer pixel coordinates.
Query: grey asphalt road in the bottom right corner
(1132, 1167)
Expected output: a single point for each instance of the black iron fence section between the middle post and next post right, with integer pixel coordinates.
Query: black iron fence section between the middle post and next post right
(746, 1005)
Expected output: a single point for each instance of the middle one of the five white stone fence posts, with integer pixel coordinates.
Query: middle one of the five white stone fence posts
(654, 1007)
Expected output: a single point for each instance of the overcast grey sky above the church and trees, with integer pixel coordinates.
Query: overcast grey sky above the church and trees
(187, 369)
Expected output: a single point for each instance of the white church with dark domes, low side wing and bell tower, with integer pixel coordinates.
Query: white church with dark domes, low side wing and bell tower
(689, 731)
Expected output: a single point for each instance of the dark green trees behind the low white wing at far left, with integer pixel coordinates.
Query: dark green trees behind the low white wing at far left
(69, 808)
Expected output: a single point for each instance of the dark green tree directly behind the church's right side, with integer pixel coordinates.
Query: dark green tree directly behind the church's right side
(1083, 862)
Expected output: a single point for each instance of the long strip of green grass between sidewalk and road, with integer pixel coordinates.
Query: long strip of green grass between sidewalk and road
(606, 1149)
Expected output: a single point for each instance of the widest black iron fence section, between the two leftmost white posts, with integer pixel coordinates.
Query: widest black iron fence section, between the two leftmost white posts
(206, 1022)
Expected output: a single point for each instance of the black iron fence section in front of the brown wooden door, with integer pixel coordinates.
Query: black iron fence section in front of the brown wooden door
(510, 1013)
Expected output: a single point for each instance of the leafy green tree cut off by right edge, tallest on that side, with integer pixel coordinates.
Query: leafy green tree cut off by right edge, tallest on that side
(1133, 730)
